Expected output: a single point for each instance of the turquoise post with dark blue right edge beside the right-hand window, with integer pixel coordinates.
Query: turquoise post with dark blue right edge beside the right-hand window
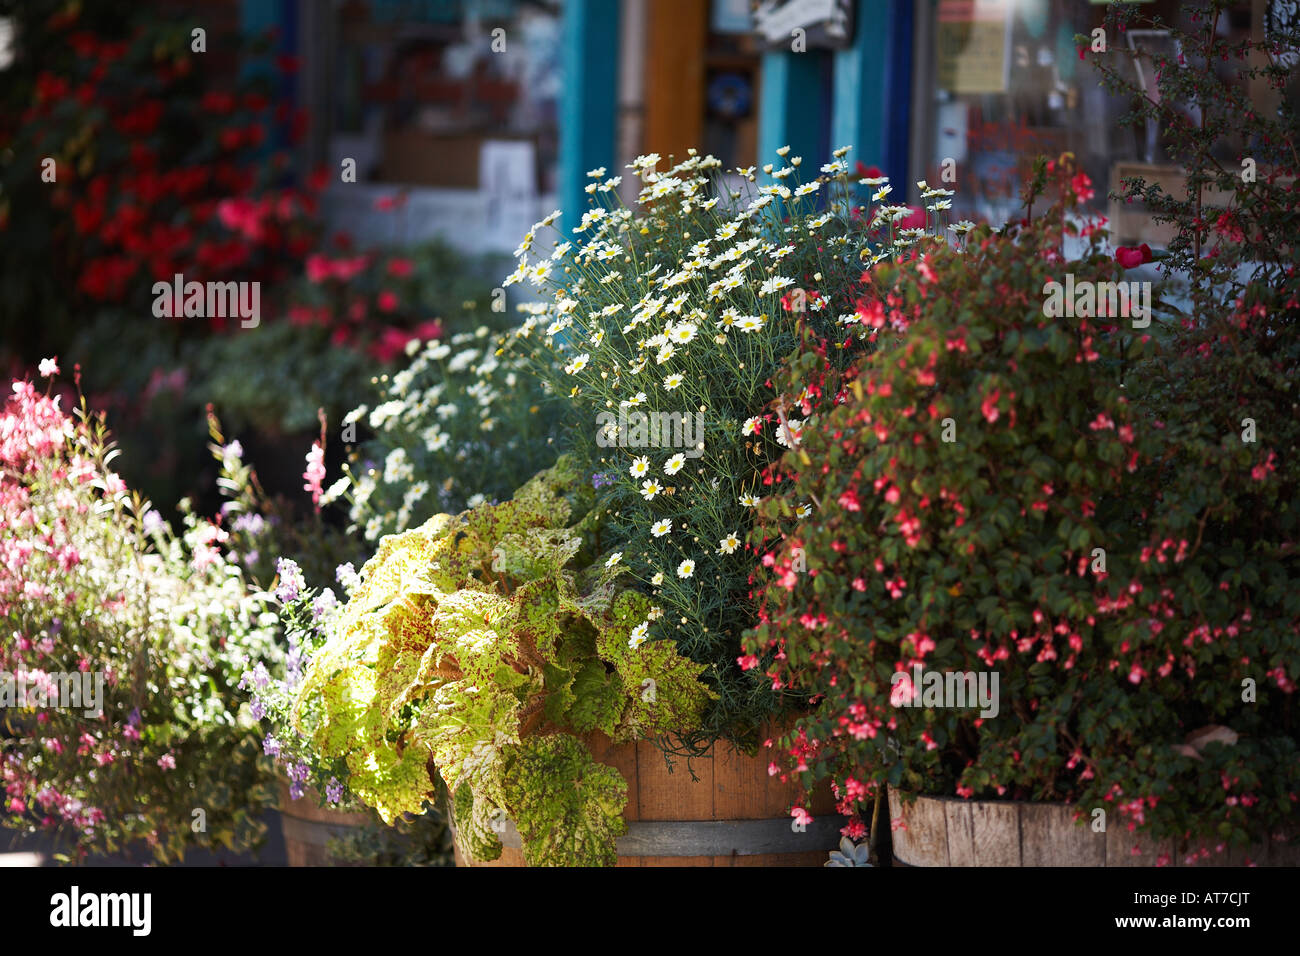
(873, 90)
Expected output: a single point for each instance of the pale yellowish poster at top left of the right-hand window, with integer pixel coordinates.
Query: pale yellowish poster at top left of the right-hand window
(972, 41)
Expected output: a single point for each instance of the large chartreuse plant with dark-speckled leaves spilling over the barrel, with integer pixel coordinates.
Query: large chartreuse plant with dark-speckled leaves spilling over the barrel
(473, 642)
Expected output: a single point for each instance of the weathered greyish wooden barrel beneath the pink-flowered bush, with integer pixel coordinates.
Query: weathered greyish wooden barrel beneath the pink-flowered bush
(946, 832)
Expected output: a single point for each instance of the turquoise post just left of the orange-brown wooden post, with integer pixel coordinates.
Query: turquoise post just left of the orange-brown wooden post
(590, 101)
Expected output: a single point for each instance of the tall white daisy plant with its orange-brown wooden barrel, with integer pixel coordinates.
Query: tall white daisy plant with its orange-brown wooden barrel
(690, 336)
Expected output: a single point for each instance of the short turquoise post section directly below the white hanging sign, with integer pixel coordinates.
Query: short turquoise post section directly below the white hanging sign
(791, 107)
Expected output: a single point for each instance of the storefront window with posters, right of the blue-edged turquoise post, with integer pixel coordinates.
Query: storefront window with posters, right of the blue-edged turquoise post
(1008, 84)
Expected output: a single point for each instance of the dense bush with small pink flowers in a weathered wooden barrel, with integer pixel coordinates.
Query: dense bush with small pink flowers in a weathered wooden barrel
(1047, 574)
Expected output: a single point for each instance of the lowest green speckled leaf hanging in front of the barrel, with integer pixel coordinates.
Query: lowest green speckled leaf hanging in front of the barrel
(567, 807)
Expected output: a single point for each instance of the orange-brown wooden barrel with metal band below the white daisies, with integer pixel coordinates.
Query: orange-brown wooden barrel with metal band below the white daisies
(735, 815)
